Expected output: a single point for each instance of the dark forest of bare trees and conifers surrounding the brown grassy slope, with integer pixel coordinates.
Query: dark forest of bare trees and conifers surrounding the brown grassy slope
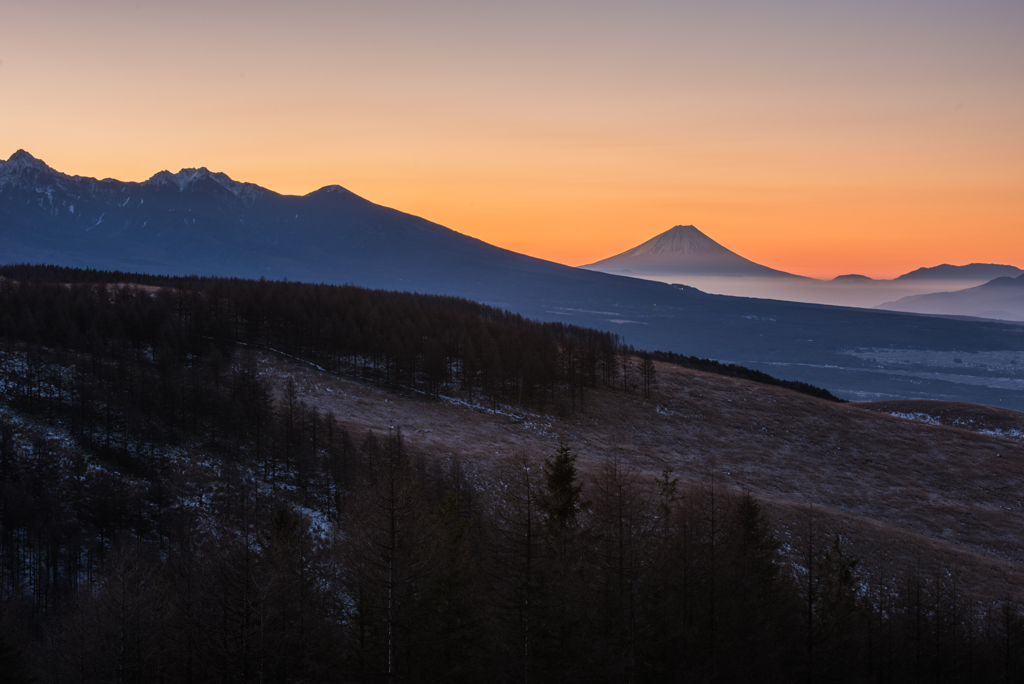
(169, 512)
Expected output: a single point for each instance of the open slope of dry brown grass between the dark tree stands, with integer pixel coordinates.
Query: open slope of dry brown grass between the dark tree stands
(905, 493)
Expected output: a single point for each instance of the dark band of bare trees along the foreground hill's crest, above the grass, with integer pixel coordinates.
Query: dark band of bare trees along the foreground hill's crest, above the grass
(398, 339)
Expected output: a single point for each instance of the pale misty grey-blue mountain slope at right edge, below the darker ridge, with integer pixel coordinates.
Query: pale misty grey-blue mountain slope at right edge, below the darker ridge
(1000, 298)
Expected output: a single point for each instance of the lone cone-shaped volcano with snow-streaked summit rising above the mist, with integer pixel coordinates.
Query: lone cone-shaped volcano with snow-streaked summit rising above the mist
(684, 251)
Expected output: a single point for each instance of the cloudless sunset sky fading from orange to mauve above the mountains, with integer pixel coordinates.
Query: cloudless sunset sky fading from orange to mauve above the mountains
(817, 138)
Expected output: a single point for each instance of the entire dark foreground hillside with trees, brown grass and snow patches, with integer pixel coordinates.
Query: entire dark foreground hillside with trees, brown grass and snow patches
(198, 485)
